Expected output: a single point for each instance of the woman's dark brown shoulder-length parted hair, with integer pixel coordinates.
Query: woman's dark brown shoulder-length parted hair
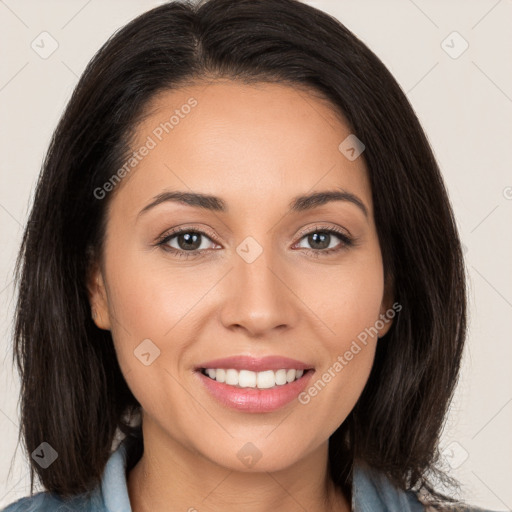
(73, 394)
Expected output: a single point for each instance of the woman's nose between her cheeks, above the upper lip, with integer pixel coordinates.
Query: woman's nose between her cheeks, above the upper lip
(258, 297)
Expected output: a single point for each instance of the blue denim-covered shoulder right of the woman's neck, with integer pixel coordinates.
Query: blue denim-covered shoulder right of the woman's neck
(372, 491)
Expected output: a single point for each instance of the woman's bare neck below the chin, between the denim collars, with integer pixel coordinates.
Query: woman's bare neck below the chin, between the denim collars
(170, 475)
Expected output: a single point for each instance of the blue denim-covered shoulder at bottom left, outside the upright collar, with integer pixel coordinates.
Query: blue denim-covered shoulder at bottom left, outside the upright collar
(47, 502)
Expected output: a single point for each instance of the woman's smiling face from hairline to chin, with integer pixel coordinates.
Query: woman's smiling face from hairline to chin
(254, 273)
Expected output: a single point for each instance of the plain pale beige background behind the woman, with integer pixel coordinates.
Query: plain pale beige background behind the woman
(465, 106)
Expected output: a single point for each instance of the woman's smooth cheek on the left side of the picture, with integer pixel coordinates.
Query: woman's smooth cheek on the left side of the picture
(156, 308)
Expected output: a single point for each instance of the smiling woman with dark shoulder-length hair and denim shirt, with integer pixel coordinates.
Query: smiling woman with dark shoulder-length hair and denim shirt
(241, 264)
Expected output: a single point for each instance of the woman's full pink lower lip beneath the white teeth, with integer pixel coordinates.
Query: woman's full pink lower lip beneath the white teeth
(255, 400)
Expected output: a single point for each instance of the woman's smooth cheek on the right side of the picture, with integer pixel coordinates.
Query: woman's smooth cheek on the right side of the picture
(348, 303)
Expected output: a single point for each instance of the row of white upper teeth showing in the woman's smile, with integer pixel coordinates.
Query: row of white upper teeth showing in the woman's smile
(249, 379)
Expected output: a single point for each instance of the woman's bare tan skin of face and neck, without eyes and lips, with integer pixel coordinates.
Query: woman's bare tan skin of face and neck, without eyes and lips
(256, 147)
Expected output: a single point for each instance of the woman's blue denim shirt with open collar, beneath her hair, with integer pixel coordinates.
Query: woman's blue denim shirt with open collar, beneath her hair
(371, 492)
